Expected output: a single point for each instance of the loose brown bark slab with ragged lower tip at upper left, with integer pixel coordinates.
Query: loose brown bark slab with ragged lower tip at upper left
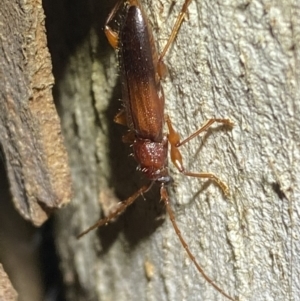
(30, 135)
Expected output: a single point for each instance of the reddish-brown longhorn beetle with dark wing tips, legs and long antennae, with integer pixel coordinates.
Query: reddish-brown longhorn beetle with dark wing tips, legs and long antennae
(141, 71)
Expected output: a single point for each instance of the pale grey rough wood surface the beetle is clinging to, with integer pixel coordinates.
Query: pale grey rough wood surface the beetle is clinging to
(235, 59)
